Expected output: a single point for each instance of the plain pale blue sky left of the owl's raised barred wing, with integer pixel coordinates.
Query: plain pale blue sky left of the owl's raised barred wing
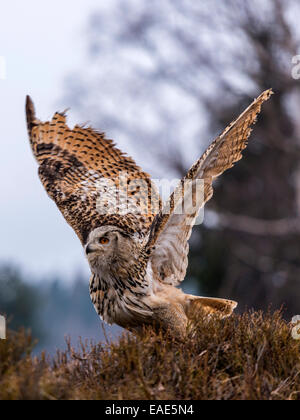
(42, 43)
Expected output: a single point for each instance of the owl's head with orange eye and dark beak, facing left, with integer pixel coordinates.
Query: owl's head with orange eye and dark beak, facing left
(110, 245)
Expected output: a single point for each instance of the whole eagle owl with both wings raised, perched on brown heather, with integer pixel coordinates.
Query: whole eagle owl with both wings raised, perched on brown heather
(137, 258)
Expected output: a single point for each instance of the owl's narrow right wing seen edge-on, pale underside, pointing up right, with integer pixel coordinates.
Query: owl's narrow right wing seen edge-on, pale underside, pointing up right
(172, 228)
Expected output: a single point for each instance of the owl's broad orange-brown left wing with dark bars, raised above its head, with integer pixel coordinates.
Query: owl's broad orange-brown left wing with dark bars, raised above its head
(92, 182)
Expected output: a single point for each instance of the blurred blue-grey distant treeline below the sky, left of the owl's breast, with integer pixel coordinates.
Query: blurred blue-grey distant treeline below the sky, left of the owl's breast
(50, 309)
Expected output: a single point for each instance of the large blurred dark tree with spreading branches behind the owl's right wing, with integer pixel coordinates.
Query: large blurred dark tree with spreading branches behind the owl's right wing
(169, 75)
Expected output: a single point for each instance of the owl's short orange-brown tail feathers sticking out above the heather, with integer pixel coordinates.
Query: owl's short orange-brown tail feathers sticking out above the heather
(210, 306)
